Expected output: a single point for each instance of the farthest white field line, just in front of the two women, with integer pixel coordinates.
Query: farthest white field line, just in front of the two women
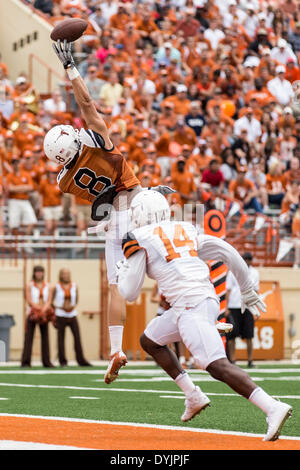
(142, 372)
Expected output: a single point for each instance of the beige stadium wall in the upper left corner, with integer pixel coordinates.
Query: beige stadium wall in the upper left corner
(23, 33)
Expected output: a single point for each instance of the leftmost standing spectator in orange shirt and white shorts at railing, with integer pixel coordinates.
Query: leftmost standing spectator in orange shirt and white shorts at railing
(20, 212)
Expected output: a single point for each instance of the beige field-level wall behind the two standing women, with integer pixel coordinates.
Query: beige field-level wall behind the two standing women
(87, 275)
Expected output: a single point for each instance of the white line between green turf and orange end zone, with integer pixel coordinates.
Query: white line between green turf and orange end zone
(145, 425)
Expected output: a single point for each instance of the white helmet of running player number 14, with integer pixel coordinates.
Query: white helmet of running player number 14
(149, 207)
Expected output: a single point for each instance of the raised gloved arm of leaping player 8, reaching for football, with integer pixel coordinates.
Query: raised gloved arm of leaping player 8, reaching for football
(87, 106)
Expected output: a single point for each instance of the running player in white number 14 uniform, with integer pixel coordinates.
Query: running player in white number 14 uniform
(173, 253)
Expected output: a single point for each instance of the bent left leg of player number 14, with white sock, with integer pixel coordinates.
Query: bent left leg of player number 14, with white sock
(161, 331)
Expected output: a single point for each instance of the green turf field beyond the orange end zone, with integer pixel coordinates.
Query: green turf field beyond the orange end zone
(144, 394)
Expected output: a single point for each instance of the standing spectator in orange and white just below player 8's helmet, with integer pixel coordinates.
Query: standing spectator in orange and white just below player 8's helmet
(51, 200)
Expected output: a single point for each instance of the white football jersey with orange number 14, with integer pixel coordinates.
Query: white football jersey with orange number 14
(172, 260)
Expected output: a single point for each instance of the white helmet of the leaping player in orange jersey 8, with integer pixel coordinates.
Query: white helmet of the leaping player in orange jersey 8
(61, 144)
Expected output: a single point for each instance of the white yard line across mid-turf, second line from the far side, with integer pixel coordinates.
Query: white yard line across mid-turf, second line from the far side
(107, 389)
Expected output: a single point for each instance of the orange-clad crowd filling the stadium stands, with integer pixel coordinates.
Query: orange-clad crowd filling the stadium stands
(200, 95)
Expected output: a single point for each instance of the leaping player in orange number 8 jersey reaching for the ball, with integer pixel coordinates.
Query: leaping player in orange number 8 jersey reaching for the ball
(95, 170)
